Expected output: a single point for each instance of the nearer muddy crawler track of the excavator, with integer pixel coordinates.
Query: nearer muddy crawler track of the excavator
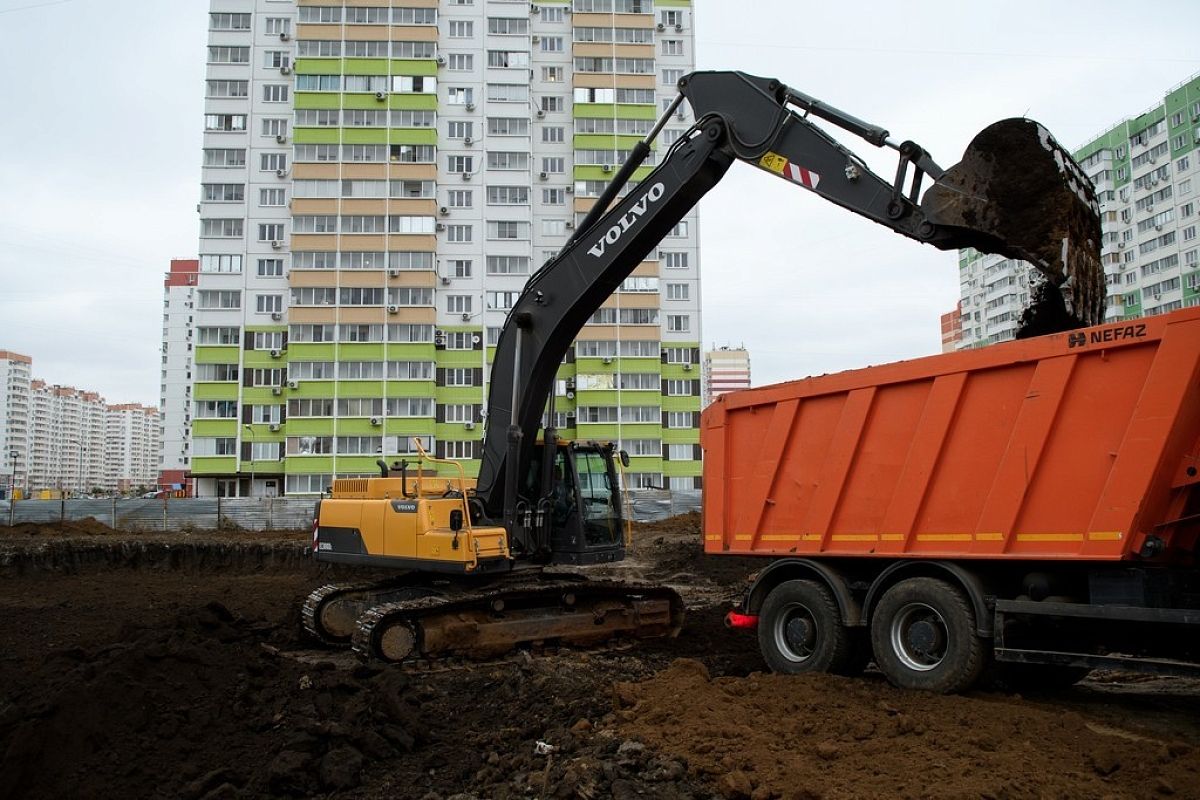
(493, 621)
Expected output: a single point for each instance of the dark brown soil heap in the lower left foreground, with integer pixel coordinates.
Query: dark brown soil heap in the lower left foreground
(205, 707)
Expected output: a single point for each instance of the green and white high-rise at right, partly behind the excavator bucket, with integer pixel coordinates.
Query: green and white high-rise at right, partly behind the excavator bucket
(1147, 178)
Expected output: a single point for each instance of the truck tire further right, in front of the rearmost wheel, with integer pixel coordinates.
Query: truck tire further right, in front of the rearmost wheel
(923, 634)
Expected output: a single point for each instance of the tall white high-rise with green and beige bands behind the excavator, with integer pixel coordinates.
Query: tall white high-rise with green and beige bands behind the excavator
(381, 179)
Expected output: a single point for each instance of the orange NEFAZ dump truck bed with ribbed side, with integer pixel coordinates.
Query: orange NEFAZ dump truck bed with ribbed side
(1076, 446)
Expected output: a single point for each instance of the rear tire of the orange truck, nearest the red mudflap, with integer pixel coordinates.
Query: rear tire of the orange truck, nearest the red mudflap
(801, 630)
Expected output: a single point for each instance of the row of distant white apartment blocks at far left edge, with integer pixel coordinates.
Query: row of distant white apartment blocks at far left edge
(61, 438)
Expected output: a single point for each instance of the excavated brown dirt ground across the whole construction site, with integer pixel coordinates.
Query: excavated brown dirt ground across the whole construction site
(136, 666)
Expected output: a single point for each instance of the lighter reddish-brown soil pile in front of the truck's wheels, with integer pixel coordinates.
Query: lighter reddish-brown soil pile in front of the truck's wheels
(825, 737)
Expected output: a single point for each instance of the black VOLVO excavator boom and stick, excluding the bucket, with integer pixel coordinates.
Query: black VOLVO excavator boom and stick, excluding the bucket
(740, 118)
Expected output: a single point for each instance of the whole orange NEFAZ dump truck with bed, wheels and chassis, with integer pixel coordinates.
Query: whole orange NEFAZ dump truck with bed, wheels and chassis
(1035, 503)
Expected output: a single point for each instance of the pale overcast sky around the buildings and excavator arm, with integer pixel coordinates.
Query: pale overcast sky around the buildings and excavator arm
(100, 152)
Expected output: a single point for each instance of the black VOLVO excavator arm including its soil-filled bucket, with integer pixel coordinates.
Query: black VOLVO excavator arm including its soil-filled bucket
(764, 123)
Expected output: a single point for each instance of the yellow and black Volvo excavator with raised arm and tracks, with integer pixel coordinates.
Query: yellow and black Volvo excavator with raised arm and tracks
(483, 567)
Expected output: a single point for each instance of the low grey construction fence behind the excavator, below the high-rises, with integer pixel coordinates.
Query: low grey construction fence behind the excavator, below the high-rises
(251, 514)
